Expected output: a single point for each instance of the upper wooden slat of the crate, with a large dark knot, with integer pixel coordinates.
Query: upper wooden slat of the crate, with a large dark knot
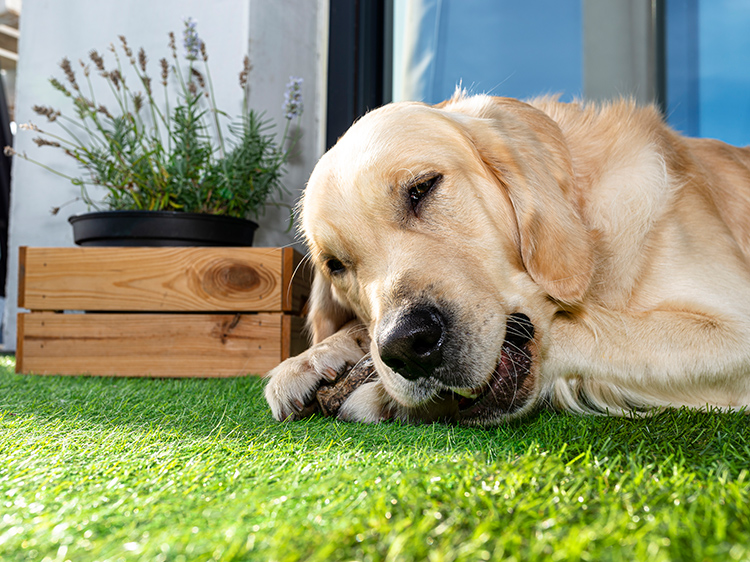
(158, 279)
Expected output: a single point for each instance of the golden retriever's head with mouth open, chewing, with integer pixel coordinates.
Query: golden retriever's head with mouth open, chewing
(450, 231)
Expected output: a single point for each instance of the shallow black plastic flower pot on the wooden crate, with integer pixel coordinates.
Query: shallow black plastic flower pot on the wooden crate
(160, 228)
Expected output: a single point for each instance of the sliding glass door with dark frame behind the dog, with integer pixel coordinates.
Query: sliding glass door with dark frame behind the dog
(690, 57)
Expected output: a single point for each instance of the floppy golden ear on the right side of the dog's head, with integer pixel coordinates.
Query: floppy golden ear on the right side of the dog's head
(526, 151)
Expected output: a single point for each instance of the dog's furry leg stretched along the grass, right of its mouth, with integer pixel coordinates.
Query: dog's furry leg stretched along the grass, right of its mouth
(616, 361)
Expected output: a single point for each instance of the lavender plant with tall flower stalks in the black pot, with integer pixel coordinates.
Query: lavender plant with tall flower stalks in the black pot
(154, 153)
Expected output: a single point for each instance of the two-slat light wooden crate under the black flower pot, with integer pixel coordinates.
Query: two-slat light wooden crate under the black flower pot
(162, 312)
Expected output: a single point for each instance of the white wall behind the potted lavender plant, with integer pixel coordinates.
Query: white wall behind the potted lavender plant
(284, 37)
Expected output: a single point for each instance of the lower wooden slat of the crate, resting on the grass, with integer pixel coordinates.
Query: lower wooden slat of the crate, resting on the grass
(159, 345)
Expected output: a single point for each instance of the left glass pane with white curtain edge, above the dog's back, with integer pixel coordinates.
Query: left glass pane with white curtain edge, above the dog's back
(518, 49)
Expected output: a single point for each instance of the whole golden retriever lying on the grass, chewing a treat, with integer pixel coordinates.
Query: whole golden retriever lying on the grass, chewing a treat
(493, 255)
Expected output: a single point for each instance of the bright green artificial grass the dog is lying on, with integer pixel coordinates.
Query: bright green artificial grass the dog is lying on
(132, 469)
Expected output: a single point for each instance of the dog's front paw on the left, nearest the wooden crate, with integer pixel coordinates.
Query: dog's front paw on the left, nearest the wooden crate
(291, 386)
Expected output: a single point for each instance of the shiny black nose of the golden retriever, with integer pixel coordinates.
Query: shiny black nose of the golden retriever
(411, 343)
